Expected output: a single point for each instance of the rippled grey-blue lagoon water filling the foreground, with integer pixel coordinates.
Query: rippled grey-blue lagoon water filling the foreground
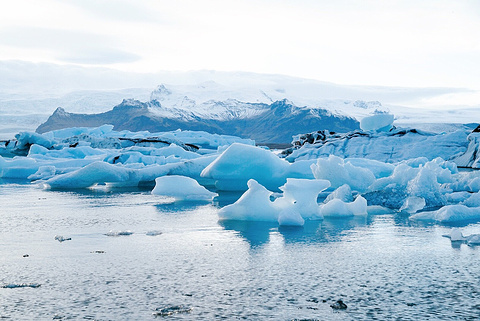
(195, 268)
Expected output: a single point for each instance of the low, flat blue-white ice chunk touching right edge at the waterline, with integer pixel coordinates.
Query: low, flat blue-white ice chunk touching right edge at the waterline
(449, 213)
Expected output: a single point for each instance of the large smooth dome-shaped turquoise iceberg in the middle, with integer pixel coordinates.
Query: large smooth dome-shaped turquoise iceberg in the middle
(239, 163)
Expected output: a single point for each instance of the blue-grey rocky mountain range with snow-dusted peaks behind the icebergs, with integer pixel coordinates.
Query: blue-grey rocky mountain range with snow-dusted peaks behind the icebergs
(273, 123)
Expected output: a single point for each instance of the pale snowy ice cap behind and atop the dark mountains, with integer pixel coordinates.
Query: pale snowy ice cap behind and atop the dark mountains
(29, 93)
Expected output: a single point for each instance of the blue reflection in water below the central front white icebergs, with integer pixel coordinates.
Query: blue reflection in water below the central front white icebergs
(313, 232)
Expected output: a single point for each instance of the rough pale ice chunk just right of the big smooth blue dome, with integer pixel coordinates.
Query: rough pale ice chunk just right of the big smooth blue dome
(339, 172)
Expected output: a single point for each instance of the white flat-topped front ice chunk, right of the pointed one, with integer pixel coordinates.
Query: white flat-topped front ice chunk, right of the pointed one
(301, 195)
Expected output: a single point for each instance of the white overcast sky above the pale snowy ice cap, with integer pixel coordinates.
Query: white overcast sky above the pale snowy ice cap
(392, 43)
